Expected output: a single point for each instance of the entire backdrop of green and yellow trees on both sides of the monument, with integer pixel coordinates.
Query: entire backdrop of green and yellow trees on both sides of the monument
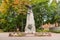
(13, 13)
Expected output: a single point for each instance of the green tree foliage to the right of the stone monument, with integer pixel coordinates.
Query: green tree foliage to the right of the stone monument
(45, 14)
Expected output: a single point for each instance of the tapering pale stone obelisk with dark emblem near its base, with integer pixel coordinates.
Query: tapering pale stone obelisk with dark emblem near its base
(30, 24)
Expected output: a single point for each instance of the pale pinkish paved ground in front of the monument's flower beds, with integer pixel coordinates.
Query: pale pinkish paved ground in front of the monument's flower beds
(4, 36)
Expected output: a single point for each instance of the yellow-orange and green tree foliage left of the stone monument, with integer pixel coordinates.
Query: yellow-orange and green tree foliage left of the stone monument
(11, 15)
